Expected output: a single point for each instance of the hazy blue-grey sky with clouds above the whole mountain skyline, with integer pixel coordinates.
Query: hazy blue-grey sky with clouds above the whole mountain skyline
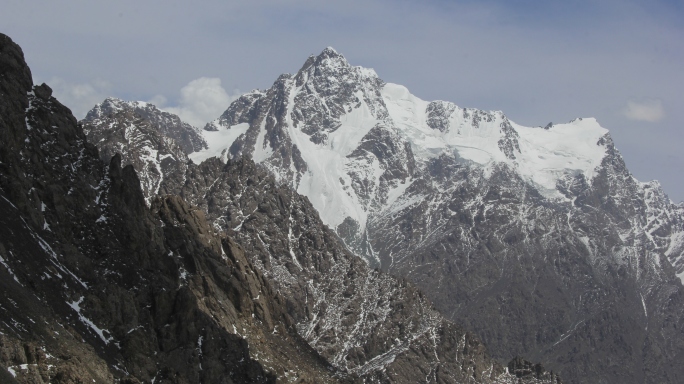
(619, 61)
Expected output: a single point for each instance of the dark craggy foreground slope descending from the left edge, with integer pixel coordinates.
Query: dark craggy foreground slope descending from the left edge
(97, 287)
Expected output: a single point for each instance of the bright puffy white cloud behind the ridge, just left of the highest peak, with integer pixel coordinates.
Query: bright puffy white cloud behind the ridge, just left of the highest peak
(202, 100)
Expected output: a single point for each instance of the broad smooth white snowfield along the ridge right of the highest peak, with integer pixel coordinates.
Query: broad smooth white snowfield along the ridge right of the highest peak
(541, 156)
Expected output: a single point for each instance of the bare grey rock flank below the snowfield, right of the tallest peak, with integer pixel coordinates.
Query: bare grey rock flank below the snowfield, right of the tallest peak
(583, 279)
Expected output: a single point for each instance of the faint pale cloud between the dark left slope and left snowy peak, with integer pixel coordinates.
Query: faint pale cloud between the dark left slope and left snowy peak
(81, 97)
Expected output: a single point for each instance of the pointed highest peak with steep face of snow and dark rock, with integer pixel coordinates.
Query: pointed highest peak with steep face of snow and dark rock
(323, 114)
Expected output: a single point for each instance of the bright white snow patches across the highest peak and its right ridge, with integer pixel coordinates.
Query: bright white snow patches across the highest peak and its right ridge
(472, 135)
